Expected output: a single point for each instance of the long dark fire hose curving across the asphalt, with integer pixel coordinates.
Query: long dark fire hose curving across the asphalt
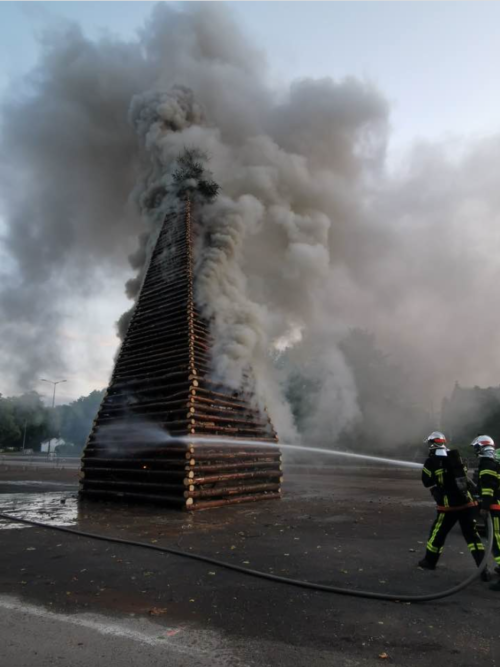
(273, 577)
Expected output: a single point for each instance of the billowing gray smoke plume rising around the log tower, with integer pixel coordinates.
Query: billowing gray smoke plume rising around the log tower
(310, 236)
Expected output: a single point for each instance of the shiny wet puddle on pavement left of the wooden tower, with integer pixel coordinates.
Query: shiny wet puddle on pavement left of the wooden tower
(44, 507)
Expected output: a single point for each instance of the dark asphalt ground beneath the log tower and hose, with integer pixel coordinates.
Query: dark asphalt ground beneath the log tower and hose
(353, 527)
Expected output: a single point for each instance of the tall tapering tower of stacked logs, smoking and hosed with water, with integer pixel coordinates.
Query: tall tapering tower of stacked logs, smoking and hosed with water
(161, 391)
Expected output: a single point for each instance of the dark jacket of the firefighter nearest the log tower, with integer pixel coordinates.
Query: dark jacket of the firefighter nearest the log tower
(440, 472)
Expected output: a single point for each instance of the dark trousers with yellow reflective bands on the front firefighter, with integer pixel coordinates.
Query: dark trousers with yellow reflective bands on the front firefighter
(444, 523)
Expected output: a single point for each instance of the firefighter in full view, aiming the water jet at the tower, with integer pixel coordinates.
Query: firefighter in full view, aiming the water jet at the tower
(446, 476)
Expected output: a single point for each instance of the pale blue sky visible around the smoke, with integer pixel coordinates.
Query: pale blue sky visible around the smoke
(434, 62)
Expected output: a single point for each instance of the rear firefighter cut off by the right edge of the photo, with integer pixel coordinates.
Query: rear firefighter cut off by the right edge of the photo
(489, 490)
